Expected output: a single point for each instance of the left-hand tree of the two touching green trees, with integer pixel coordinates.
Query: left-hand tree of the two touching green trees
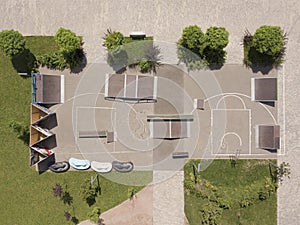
(192, 38)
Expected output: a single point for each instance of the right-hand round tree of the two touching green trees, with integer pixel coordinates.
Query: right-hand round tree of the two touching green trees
(216, 38)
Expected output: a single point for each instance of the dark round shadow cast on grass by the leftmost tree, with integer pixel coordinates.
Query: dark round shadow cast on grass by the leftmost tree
(25, 62)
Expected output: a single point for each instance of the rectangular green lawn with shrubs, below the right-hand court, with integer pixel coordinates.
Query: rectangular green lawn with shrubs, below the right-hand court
(233, 183)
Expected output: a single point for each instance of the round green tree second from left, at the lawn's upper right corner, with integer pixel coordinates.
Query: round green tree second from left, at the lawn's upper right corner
(67, 40)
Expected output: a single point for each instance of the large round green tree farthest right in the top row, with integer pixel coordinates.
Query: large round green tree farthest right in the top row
(268, 40)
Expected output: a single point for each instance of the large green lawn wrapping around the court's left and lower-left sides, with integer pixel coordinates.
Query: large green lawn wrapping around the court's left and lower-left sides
(26, 197)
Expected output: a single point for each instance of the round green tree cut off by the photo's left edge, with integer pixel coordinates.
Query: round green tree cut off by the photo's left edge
(11, 42)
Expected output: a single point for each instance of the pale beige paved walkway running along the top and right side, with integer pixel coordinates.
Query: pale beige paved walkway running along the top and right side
(165, 20)
